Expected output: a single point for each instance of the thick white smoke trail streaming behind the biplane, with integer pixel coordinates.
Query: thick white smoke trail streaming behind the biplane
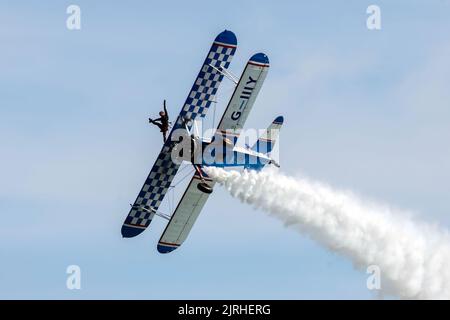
(414, 258)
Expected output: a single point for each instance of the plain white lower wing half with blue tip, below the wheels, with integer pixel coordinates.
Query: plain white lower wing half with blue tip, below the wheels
(184, 216)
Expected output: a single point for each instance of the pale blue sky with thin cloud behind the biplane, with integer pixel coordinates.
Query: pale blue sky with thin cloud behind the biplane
(365, 110)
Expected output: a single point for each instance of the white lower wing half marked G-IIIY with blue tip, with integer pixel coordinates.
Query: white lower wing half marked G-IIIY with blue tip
(245, 93)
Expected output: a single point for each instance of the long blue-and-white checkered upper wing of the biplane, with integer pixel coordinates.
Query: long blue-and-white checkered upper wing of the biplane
(197, 104)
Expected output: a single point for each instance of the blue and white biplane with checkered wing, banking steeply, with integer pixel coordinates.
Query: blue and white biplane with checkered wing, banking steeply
(221, 148)
